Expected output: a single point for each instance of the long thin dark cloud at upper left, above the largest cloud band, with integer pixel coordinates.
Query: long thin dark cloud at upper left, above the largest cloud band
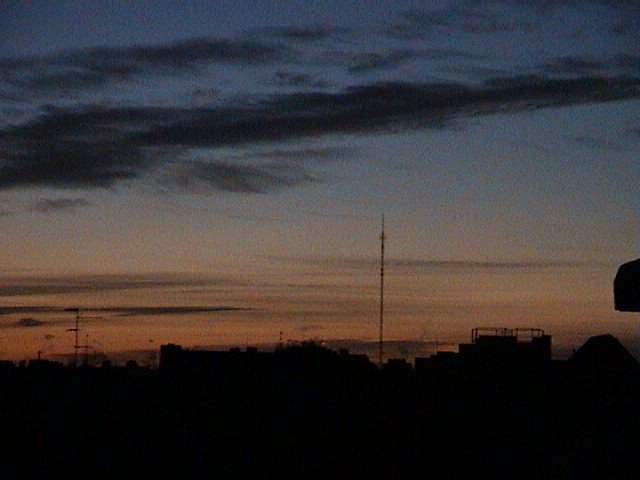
(100, 66)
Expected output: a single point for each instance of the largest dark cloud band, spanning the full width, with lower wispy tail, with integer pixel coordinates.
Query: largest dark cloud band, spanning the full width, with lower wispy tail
(99, 147)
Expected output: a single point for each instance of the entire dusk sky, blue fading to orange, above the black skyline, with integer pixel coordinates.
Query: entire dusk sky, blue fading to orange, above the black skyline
(215, 173)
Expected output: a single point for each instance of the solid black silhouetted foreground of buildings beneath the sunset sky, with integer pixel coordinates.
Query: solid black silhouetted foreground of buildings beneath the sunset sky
(315, 414)
